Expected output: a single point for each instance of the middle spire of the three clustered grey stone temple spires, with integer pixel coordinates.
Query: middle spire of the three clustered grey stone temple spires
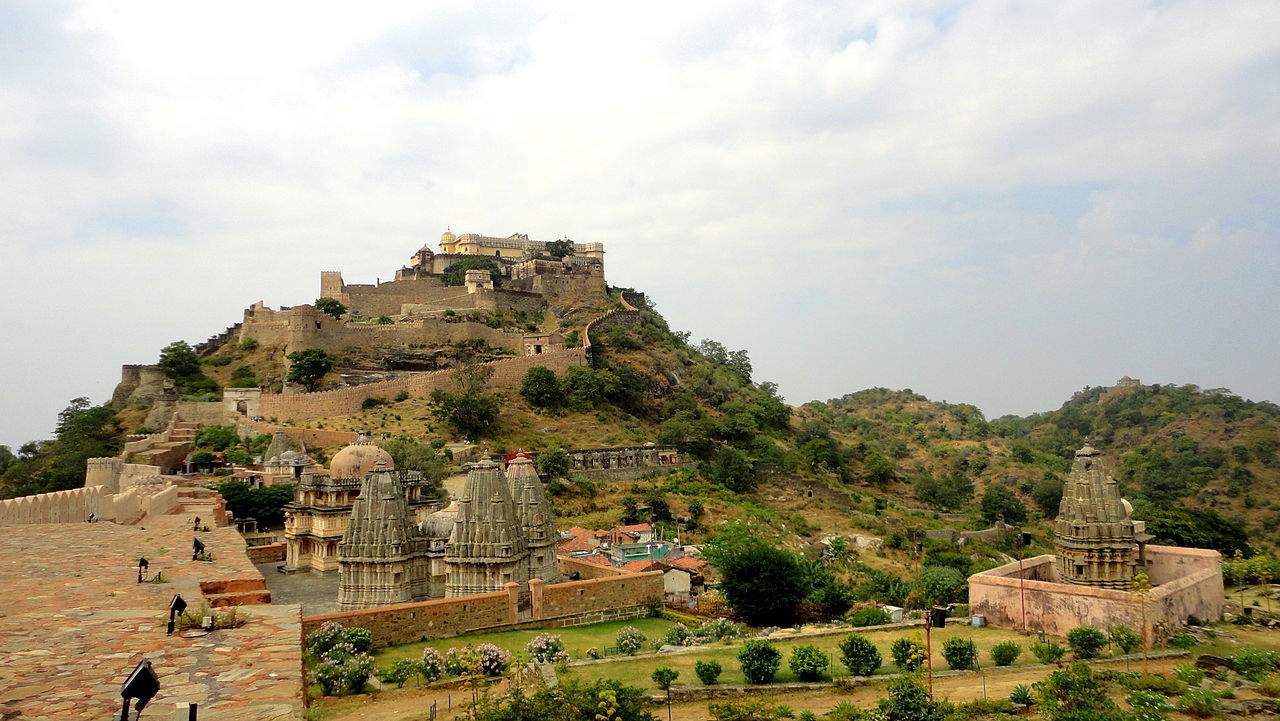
(487, 549)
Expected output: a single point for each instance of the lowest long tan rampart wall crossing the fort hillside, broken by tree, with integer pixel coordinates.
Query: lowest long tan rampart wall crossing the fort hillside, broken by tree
(345, 401)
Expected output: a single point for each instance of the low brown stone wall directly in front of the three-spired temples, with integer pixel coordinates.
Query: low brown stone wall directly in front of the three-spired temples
(620, 597)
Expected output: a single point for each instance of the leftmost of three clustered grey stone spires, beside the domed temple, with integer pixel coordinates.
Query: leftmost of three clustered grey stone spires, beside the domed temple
(382, 558)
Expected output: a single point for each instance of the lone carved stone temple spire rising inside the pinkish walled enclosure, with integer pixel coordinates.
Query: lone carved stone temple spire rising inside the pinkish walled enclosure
(1095, 536)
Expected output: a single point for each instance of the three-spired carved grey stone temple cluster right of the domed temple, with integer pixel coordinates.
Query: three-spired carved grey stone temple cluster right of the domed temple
(501, 531)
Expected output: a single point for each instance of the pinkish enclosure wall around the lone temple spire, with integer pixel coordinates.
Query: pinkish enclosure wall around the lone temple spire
(1058, 608)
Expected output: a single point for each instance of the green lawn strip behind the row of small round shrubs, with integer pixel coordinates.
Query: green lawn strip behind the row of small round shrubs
(637, 672)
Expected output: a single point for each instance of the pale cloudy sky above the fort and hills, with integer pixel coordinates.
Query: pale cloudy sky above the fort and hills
(989, 203)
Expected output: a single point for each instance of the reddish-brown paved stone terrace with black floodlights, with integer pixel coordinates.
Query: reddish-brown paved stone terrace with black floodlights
(75, 622)
